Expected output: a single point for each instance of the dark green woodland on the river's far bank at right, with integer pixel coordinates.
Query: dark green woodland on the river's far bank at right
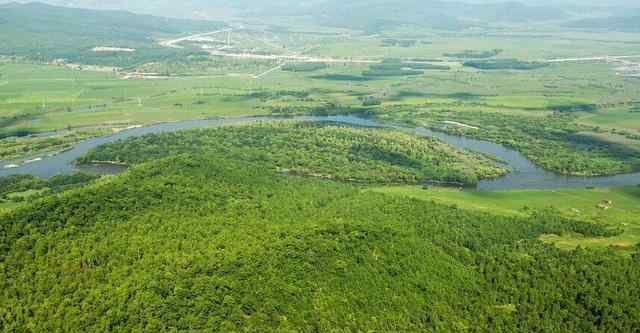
(554, 141)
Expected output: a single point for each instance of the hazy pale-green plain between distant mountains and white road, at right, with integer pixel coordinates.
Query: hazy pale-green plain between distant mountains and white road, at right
(519, 44)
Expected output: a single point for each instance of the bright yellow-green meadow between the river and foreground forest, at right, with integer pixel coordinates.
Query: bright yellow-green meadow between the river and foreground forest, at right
(581, 204)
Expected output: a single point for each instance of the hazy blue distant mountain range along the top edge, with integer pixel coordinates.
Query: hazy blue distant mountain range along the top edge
(376, 15)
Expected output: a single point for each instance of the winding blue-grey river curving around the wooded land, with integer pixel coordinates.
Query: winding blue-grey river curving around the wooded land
(525, 174)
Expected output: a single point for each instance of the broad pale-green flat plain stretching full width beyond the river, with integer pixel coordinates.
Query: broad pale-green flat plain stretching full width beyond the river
(222, 81)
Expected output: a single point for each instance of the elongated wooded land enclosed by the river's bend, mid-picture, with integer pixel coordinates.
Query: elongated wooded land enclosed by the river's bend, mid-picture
(318, 149)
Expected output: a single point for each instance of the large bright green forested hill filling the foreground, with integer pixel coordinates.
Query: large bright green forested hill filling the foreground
(200, 242)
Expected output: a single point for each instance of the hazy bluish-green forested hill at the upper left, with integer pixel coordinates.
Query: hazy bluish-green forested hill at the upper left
(49, 32)
